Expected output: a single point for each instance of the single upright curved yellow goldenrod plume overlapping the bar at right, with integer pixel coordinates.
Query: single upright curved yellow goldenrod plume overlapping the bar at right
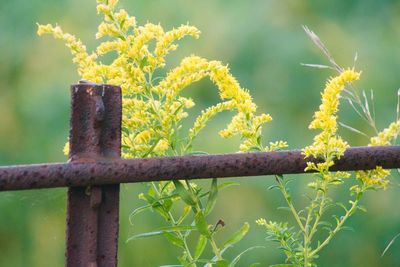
(327, 145)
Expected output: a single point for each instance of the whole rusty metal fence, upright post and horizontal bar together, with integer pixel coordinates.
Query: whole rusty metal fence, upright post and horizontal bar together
(95, 170)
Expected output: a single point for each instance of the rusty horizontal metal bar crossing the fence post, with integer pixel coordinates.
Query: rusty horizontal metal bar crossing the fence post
(185, 167)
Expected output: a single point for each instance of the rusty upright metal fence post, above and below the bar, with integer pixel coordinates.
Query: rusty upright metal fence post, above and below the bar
(92, 212)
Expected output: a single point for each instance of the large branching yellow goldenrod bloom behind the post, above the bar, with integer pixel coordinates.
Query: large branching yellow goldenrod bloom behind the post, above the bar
(152, 106)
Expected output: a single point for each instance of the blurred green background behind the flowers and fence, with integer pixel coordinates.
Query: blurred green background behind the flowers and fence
(264, 44)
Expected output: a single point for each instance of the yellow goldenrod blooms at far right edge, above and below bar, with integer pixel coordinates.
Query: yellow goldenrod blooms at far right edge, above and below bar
(377, 177)
